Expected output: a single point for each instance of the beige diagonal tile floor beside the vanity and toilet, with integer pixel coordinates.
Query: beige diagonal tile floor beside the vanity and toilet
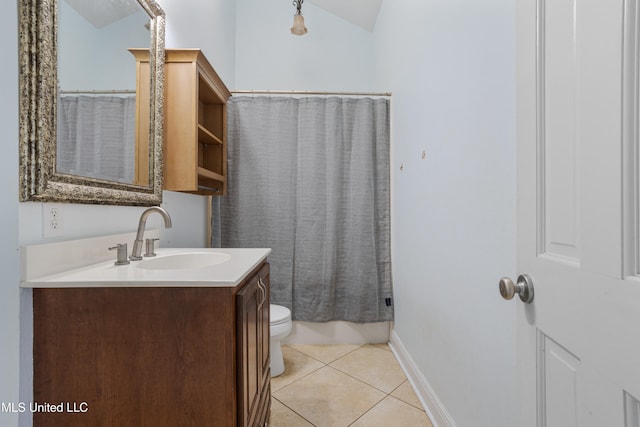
(343, 385)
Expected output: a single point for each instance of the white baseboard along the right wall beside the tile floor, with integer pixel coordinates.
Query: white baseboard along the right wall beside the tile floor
(432, 405)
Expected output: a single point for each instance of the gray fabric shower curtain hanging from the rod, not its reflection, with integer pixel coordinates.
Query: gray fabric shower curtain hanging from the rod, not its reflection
(309, 178)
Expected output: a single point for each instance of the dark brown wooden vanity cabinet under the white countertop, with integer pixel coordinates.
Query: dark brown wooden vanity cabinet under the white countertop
(153, 356)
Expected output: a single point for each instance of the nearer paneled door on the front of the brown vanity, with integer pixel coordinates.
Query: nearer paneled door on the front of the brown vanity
(249, 305)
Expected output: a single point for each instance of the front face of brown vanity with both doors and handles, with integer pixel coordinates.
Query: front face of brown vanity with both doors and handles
(252, 308)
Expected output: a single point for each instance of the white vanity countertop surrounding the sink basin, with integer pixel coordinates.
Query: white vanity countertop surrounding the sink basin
(105, 274)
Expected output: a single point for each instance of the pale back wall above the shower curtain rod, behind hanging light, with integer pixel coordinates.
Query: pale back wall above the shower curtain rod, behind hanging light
(333, 56)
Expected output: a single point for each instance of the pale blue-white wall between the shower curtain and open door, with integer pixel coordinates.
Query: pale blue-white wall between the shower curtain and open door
(451, 67)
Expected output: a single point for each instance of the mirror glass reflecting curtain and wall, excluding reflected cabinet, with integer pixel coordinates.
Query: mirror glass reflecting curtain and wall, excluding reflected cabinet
(96, 124)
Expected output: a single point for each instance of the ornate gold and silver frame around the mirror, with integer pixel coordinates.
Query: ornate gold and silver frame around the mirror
(39, 181)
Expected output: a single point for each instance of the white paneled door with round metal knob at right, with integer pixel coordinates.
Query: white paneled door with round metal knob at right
(578, 212)
